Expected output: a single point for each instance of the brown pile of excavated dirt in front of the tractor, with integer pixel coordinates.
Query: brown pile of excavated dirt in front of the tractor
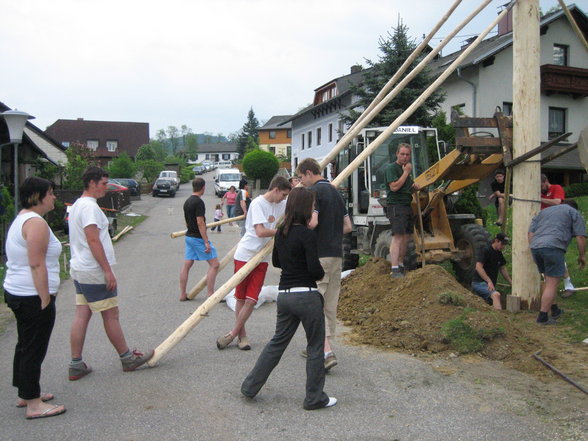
(408, 314)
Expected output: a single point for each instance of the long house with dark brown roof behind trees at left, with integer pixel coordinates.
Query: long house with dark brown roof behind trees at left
(108, 139)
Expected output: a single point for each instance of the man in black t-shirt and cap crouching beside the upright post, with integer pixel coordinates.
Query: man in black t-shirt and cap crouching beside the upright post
(488, 262)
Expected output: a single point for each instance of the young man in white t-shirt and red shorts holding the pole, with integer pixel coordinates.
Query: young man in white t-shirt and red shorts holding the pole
(260, 227)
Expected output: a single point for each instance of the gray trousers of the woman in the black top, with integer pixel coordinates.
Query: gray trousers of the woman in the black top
(293, 309)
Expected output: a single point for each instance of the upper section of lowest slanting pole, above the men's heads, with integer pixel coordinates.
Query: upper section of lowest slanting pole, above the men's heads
(418, 102)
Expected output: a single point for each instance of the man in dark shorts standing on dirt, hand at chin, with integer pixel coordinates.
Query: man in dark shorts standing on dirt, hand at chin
(398, 210)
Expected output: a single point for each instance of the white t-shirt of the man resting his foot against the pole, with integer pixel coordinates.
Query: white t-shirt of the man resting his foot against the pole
(84, 212)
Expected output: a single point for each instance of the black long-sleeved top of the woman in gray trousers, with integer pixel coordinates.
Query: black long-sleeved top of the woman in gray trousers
(296, 254)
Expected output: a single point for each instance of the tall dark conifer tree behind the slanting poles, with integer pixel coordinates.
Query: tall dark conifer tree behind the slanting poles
(395, 49)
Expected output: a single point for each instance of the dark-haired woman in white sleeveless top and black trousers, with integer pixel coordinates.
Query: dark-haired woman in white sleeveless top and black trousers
(30, 287)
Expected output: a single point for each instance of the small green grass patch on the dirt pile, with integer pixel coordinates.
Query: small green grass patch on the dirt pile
(466, 339)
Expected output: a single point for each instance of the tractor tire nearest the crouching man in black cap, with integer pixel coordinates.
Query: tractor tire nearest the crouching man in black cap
(470, 238)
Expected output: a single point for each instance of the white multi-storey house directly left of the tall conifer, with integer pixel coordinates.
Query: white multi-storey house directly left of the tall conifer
(317, 127)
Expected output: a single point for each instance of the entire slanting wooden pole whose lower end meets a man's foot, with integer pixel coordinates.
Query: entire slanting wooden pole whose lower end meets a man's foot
(202, 311)
